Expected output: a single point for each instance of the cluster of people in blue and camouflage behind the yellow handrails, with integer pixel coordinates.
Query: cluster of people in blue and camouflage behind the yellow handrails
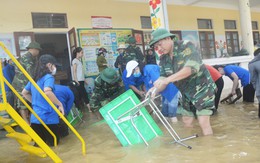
(42, 69)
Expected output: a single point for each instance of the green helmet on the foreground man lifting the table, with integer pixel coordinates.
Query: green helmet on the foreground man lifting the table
(159, 34)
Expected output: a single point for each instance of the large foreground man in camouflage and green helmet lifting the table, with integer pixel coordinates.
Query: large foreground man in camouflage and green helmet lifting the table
(181, 64)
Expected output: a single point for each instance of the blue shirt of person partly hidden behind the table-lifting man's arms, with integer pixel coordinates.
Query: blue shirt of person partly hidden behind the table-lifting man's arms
(151, 74)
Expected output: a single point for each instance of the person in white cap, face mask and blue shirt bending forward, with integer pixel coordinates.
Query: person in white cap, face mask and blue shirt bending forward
(133, 79)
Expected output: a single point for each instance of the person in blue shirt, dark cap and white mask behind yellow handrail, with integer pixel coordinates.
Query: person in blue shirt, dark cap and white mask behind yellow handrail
(43, 76)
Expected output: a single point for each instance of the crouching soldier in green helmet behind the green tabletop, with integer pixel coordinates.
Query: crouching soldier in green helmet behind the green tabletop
(108, 86)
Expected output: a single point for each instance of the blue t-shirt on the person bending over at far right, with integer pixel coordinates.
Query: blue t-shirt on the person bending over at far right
(242, 73)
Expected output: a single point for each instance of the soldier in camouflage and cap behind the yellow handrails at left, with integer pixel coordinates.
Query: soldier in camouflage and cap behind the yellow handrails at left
(28, 62)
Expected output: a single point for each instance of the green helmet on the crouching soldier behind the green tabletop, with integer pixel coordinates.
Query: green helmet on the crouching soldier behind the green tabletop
(109, 75)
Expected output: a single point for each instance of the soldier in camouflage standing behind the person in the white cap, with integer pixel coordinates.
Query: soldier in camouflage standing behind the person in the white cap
(133, 52)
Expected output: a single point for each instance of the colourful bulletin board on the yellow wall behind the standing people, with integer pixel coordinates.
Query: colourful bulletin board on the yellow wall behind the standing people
(92, 39)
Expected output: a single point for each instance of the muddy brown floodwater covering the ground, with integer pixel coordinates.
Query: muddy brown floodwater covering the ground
(236, 139)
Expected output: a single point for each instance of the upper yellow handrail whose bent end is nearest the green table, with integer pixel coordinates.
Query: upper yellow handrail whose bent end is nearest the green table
(45, 97)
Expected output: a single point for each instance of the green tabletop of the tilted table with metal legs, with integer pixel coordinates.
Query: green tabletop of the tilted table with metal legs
(129, 120)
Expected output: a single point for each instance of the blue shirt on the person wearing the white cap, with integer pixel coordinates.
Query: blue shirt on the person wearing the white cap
(137, 82)
